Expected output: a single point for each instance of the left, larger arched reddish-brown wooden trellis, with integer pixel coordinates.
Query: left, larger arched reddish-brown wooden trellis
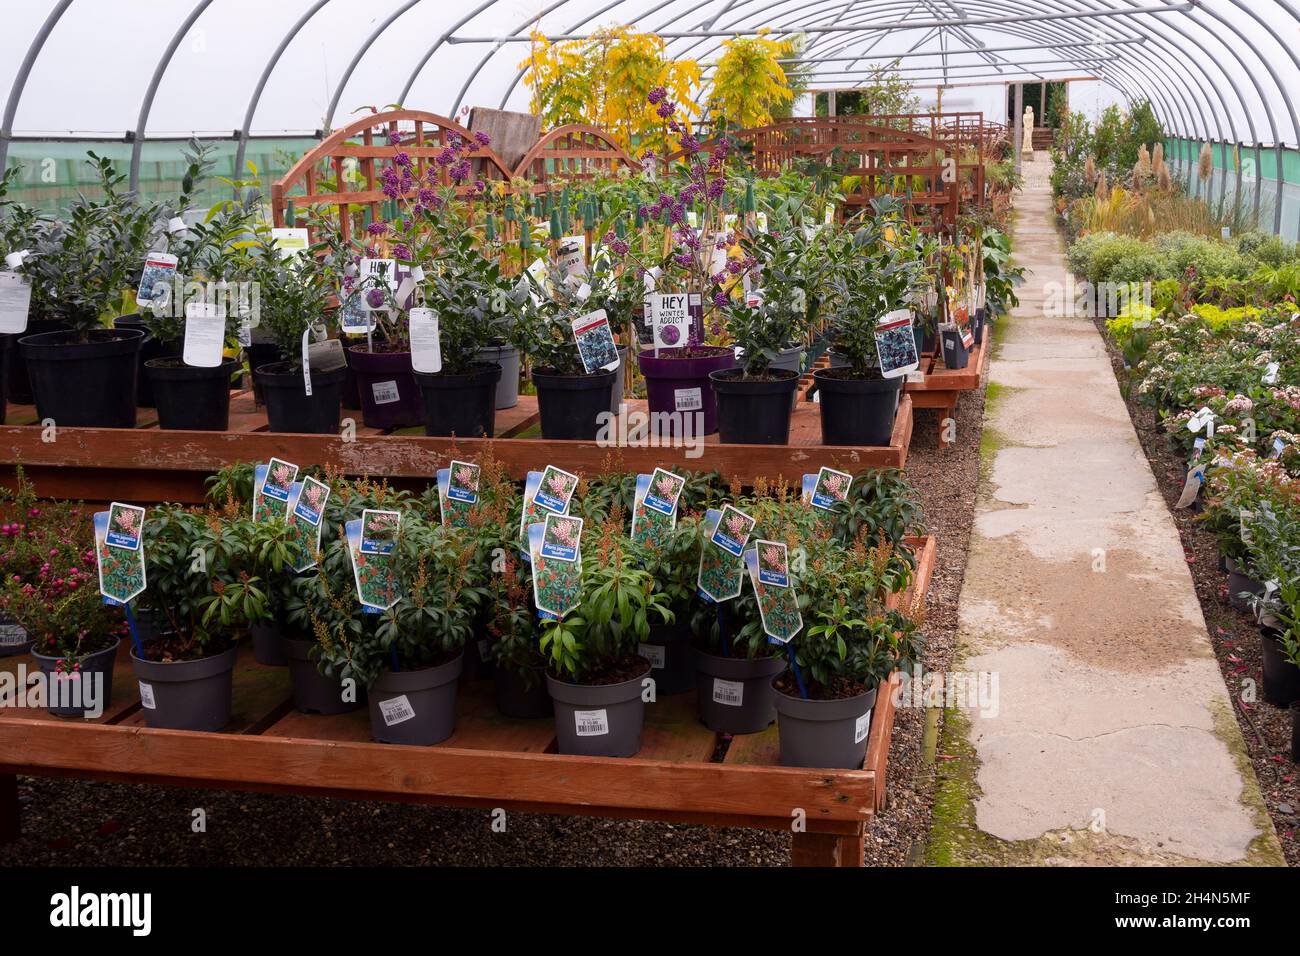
(323, 174)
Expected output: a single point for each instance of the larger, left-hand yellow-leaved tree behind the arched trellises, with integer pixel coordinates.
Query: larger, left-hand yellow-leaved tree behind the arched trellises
(605, 81)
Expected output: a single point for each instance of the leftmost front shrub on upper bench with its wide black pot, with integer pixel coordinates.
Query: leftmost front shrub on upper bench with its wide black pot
(80, 271)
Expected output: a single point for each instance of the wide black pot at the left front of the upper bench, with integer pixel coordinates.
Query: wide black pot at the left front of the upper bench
(85, 384)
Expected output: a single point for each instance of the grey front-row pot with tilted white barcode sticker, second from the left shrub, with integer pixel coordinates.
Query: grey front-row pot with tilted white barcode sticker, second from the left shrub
(417, 708)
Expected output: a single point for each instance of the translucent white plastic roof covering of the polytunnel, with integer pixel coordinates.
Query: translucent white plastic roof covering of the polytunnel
(1214, 70)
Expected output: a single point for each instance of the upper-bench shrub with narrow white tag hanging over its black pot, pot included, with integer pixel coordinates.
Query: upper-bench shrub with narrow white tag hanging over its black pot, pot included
(293, 315)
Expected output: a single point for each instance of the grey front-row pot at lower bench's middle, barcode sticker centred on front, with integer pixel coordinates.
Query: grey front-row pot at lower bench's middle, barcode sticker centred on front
(599, 721)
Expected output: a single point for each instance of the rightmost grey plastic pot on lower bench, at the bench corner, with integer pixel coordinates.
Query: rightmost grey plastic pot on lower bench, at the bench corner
(825, 733)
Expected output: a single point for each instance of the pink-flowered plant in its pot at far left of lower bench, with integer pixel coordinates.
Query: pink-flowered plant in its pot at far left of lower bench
(50, 590)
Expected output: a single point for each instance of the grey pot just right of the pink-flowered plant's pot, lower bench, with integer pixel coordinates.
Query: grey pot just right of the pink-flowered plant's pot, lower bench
(187, 695)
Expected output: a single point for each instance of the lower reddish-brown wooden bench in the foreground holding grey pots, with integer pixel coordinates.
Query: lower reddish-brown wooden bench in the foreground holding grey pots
(684, 772)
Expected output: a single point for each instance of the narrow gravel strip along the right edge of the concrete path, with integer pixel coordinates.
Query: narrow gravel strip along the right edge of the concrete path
(1234, 634)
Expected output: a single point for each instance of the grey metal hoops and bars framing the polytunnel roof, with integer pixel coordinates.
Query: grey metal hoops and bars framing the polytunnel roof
(1048, 23)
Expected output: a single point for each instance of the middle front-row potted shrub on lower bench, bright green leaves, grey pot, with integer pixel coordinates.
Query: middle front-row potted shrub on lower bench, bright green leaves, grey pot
(595, 673)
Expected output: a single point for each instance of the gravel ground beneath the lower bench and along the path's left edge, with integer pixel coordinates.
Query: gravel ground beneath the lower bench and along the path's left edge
(86, 824)
